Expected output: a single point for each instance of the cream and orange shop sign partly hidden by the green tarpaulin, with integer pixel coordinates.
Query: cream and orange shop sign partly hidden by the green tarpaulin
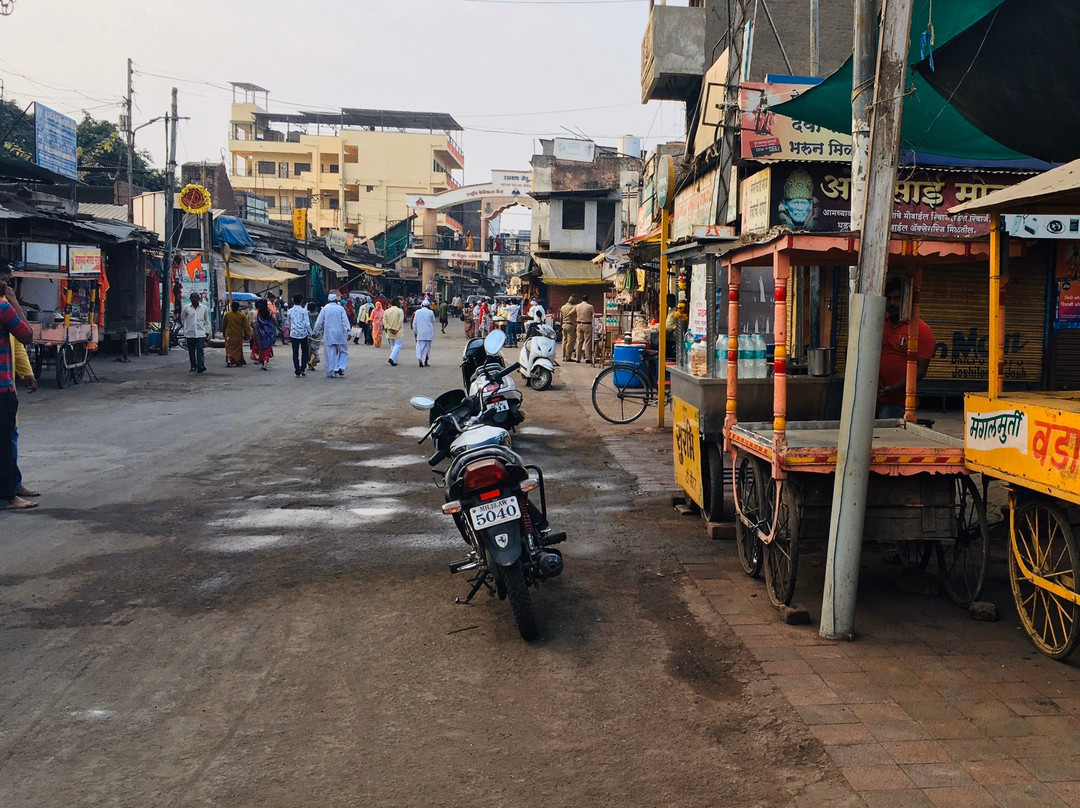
(769, 137)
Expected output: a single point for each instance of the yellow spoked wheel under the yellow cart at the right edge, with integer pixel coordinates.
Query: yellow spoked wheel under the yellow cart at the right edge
(1044, 541)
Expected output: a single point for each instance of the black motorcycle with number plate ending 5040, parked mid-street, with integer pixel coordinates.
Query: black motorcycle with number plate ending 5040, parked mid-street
(488, 493)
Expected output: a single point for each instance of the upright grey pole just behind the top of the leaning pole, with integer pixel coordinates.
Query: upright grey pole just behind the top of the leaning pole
(862, 89)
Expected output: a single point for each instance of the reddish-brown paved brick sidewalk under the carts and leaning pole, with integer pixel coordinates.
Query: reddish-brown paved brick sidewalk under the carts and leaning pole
(928, 707)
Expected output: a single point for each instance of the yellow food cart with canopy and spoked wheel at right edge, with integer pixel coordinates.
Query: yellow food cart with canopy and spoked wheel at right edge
(1032, 441)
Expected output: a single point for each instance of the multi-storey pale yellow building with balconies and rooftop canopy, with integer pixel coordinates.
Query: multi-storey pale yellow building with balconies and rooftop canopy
(352, 170)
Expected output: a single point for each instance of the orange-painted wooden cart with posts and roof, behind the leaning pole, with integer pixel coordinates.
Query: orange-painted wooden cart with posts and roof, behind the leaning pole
(921, 495)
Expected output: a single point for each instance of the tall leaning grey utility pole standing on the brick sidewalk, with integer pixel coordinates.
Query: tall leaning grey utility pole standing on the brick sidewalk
(868, 318)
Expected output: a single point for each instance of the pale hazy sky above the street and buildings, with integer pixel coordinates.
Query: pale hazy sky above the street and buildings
(508, 71)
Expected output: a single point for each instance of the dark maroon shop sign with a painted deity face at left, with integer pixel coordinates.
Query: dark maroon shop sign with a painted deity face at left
(818, 199)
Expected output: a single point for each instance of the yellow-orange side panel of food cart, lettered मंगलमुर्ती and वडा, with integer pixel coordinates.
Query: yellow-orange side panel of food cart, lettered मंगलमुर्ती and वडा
(1032, 441)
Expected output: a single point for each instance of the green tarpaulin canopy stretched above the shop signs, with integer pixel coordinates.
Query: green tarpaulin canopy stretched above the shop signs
(929, 124)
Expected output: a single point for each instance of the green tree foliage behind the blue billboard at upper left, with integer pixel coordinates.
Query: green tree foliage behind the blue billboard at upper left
(102, 149)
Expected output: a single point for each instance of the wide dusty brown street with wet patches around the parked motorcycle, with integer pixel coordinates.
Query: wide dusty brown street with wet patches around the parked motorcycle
(236, 592)
